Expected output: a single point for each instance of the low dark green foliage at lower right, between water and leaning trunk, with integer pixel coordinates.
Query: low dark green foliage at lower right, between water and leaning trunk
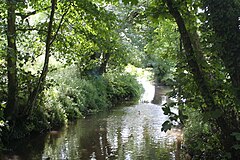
(200, 140)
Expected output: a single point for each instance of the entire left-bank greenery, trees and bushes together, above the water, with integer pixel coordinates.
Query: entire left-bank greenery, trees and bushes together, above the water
(58, 63)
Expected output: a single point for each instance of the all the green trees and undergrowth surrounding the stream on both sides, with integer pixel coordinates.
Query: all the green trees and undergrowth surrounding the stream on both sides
(191, 45)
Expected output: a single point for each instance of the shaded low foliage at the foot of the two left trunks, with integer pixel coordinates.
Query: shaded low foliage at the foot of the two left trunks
(49, 116)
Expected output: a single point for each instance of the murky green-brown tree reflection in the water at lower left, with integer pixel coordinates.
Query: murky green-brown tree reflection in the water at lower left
(85, 139)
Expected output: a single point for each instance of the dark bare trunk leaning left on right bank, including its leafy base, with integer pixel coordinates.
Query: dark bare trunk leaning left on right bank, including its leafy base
(227, 122)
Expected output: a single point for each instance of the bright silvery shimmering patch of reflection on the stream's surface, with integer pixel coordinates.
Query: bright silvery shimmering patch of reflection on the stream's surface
(136, 135)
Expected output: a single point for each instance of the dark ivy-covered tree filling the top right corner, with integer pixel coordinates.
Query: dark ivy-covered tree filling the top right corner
(223, 19)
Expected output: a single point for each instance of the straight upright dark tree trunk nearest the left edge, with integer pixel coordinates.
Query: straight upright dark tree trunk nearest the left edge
(10, 111)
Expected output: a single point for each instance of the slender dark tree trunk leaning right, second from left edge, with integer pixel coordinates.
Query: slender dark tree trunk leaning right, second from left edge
(34, 95)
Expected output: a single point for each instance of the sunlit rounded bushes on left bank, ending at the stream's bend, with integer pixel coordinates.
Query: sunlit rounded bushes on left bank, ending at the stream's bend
(94, 93)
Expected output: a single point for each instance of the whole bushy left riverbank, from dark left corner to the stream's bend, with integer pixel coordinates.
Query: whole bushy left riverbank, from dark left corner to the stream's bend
(72, 98)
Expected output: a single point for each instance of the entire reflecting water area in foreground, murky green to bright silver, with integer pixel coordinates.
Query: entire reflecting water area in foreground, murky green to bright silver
(132, 132)
